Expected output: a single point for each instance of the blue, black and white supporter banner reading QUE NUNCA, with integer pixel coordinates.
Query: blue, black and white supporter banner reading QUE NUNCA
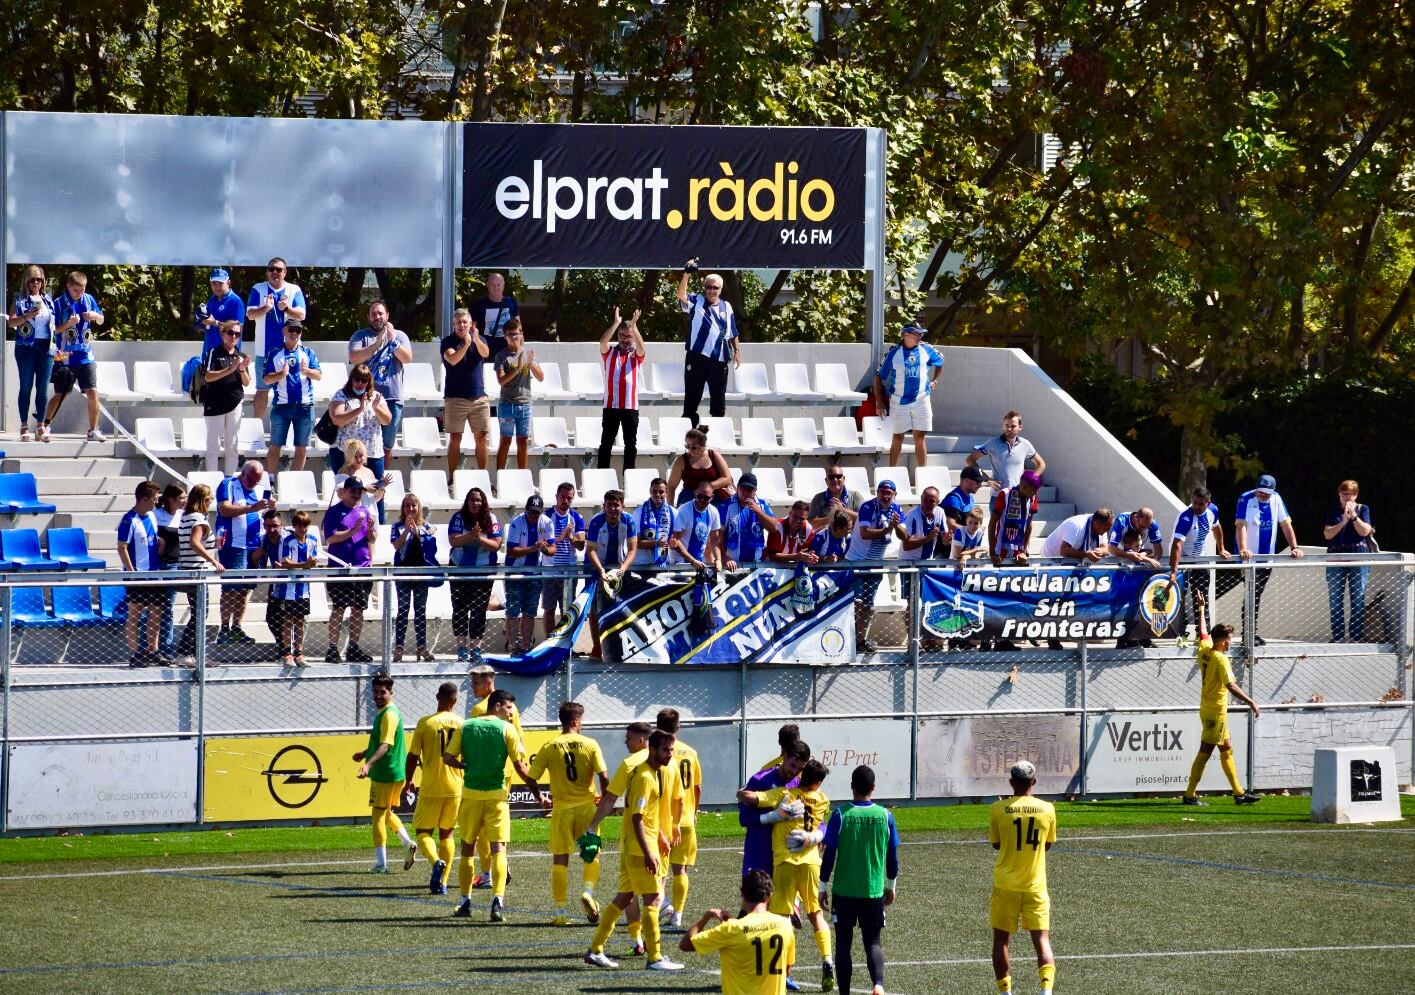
(766, 616)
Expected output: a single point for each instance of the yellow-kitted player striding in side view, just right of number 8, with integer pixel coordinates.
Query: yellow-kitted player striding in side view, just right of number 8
(643, 849)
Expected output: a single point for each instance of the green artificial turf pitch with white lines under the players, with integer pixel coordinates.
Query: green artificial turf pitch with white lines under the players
(1147, 897)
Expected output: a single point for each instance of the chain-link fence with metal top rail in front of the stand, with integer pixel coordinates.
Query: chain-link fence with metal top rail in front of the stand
(937, 698)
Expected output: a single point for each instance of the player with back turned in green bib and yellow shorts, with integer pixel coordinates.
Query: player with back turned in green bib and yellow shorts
(482, 749)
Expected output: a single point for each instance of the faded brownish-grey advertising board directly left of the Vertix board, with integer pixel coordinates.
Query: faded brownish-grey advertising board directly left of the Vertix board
(973, 757)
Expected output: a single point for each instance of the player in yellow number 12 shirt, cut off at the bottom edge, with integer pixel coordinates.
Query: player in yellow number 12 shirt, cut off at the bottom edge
(758, 948)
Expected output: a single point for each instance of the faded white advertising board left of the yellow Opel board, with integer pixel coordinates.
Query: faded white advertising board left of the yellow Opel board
(63, 786)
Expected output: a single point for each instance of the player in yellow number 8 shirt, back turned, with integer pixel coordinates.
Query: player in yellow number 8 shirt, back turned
(571, 762)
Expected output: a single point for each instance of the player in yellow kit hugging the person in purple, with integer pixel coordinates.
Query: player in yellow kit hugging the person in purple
(796, 854)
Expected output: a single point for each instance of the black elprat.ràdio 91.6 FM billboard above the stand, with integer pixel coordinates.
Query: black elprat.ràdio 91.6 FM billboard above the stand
(643, 197)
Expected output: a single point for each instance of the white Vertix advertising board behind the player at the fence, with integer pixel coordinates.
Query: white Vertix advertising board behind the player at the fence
(1154, 752)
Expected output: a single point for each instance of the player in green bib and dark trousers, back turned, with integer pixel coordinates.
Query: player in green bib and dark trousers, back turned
(862, 851)
